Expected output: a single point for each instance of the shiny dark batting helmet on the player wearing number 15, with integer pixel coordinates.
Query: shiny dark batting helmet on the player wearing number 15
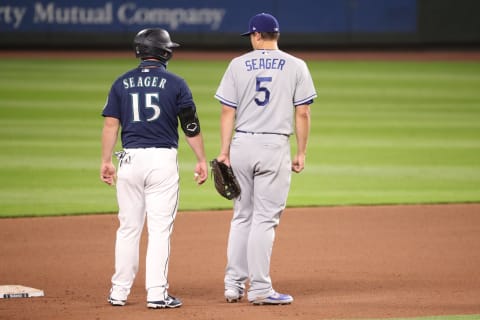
(154, 43)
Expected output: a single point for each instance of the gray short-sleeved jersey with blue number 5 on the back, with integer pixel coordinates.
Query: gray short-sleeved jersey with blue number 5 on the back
(264, 86)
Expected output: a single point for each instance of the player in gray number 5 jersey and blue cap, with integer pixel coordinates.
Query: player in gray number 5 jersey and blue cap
(263, 93)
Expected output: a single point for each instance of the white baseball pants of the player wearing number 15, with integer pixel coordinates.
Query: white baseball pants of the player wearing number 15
(147, 187)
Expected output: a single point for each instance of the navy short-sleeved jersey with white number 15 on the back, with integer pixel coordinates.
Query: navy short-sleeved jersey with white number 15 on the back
(147, 101)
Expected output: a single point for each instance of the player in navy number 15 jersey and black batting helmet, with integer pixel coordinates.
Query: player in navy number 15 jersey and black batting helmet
(147, 103)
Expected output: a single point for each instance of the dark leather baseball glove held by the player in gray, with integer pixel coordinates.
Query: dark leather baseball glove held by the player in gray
(224, 179)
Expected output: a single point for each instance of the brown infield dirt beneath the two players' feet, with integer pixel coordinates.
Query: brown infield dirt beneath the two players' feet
(337, 262)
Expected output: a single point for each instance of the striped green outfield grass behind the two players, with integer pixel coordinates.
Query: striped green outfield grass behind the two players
(382, 133)
